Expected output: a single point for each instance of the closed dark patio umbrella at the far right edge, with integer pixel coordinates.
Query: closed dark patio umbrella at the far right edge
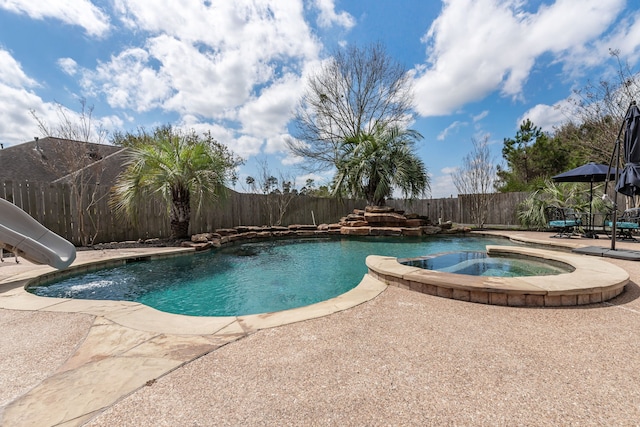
(629, 182)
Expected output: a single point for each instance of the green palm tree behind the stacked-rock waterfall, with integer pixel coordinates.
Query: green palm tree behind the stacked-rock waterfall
(372, 165)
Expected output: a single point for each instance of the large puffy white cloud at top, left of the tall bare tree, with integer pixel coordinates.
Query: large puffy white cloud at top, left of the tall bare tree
(240, 62)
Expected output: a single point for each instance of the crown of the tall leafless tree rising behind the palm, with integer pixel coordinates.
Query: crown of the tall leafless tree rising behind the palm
(355, 92)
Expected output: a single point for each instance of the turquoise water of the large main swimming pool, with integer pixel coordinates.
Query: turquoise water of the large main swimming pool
(255, 277)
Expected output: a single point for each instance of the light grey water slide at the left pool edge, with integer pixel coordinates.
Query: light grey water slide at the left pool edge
(24, 236)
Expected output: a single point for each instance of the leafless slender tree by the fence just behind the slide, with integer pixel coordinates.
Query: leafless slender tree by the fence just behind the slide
(81, 160)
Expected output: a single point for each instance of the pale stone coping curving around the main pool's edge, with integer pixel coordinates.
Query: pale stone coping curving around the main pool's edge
(139, 316)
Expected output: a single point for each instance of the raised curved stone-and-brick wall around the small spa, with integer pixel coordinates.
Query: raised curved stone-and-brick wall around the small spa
(592, 281)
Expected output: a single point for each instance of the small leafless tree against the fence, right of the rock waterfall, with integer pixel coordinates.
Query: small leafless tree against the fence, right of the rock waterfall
(475, 179)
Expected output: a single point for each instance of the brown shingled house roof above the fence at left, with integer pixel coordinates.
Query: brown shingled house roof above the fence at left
(55, 159)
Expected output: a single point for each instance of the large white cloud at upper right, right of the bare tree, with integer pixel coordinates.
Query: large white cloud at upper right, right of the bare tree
(478, 46)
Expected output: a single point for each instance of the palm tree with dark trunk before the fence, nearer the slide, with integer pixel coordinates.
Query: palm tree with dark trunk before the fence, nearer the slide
(184, 169)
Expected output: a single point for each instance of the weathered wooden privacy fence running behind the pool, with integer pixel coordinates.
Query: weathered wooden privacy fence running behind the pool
(83, 215)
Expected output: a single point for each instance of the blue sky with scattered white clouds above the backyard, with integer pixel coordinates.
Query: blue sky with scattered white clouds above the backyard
(237, 68)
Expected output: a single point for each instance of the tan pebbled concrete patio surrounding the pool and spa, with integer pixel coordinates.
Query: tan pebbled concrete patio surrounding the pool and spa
(402, 358)
